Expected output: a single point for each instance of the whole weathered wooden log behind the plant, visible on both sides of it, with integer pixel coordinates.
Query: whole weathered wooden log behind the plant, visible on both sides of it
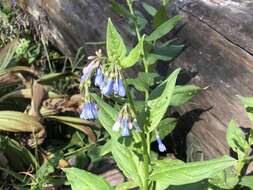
(219, 56)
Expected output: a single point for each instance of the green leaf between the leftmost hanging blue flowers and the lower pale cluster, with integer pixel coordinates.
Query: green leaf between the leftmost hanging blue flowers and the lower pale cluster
(107, 115)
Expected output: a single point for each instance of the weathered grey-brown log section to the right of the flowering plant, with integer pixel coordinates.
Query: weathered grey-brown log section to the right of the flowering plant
(220, 57)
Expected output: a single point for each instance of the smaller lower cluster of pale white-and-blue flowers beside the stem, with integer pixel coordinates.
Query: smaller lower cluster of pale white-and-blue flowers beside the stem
(125, 121)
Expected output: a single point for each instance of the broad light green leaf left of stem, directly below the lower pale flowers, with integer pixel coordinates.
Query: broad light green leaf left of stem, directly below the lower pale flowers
(128, 162)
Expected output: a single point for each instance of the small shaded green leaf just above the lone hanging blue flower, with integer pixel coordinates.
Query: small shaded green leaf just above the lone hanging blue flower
(165, 127)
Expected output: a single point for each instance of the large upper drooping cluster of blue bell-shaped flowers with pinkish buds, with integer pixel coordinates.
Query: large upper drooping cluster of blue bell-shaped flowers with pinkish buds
(108, 78)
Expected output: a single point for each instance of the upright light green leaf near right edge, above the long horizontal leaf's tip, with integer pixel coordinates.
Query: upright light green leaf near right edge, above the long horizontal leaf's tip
(236, 139)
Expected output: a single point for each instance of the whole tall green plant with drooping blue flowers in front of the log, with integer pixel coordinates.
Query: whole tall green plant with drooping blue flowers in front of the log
(135, 121)
